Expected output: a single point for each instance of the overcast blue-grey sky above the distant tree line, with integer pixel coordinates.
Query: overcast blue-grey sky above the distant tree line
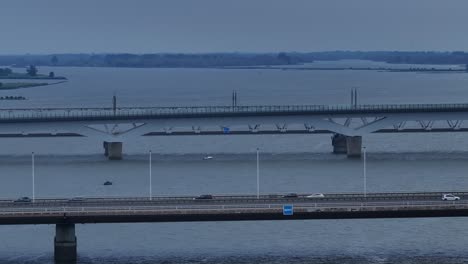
(199, 26)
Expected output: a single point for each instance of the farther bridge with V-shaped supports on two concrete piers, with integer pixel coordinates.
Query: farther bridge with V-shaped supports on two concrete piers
(347, 123)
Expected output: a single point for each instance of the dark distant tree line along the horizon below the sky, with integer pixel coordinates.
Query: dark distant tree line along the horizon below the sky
(175, 60)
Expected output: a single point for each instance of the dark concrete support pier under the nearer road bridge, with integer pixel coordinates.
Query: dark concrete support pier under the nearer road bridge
(65, 242)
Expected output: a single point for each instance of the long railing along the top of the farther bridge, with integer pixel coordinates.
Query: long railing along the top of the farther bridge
(72, 114)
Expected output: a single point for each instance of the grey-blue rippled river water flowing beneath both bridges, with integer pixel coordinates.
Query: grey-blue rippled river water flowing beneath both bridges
(289, 163)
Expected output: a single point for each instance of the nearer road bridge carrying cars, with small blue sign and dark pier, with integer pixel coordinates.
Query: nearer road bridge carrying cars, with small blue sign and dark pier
(65, 213)
